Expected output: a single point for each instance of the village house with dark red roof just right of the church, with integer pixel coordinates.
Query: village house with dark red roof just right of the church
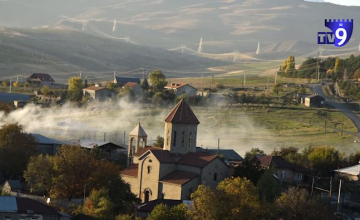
(285, 171)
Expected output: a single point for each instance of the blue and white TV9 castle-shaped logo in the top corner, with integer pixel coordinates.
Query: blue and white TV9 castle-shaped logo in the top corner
(341, 32)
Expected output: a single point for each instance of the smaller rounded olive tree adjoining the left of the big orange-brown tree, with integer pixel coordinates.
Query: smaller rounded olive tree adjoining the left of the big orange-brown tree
(39, 173)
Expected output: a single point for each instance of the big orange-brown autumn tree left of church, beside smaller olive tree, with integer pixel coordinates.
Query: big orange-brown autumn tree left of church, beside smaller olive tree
(73, 167)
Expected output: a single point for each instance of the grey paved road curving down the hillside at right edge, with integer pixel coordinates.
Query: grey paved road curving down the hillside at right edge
(338, 105)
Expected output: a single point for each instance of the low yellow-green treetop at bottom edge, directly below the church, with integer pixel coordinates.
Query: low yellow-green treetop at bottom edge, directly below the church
(164, 212)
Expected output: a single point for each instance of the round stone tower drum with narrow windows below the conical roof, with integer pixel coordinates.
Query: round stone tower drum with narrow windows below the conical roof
(183, 138)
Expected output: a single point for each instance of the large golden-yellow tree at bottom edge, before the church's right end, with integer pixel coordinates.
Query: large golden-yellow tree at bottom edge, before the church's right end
(234, 198)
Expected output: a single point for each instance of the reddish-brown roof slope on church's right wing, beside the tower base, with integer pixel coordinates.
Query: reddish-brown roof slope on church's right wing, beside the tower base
(198, 159)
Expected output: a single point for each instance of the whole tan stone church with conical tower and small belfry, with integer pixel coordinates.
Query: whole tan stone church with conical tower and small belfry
(176, 170)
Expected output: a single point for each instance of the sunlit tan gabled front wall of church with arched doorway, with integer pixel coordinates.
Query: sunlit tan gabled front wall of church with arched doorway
(150, 167)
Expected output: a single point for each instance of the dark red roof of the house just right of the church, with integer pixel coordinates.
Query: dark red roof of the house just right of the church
(279, 162)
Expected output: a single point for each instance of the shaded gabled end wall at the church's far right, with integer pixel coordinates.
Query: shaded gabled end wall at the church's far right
(214, 168)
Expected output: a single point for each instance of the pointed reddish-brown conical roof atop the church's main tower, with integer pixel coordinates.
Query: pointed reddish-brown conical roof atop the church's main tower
(183, 114)
